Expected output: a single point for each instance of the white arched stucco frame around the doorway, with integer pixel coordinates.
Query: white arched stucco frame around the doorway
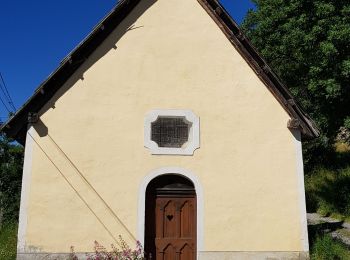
(200, 202)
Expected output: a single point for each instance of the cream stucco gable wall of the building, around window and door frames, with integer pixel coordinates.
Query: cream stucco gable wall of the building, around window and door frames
(88, 155)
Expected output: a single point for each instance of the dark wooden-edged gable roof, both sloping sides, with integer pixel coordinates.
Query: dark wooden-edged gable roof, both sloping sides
(16, 126)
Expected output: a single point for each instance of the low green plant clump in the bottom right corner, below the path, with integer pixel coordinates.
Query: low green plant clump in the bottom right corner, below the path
(325, 248)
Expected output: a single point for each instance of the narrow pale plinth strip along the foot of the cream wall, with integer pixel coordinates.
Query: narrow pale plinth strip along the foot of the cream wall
(201, 256)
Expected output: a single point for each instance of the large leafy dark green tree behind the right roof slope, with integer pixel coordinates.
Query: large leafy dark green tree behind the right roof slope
(307, 43)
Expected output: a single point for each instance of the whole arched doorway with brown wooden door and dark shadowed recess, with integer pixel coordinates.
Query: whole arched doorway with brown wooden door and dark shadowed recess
(171, 219)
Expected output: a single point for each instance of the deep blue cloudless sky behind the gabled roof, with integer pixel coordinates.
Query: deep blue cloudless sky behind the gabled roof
(37, 35)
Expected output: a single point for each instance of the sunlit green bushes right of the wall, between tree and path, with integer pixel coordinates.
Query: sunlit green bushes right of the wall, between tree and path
(328, 191)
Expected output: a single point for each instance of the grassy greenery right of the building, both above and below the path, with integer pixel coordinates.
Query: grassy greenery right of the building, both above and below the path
(328, 193)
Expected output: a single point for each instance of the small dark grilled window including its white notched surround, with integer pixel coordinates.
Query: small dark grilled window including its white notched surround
(172, 132)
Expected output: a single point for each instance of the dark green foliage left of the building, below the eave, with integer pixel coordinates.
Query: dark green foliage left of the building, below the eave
(11, 161)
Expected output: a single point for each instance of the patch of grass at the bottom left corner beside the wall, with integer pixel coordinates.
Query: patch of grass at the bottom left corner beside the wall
(8, 241)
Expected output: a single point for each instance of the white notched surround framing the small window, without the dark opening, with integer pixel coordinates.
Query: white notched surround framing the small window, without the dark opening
(193, 138)
